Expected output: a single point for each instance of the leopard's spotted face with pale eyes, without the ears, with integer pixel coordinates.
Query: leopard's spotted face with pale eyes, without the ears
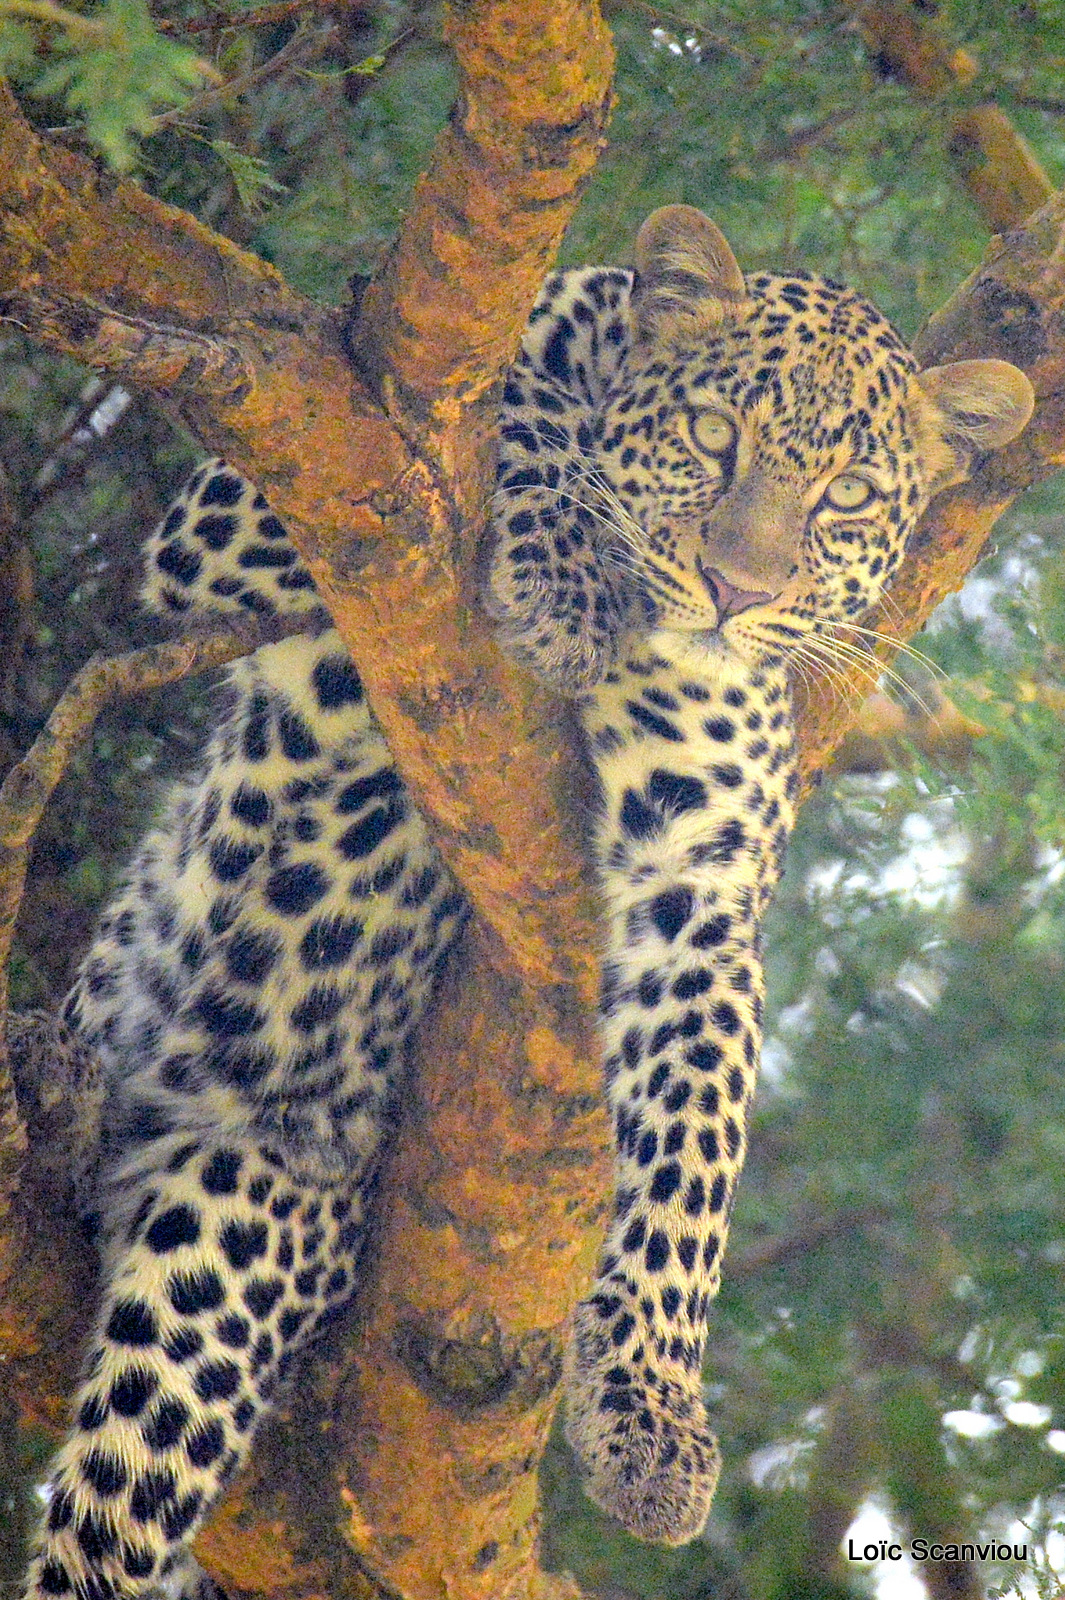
(765, 482)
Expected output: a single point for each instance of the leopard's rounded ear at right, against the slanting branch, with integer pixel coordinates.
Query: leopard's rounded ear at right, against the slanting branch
(978, 406)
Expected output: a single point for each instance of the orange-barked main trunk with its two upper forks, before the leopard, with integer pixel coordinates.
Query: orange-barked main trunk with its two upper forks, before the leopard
(393, 542)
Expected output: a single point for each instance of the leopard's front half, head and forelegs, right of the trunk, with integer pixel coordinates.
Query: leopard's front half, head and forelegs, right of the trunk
(706, 481)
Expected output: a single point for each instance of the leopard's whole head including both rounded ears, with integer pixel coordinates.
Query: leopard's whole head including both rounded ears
(772, 442)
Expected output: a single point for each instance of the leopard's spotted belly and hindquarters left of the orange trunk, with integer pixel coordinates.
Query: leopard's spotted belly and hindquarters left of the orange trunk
(252, 991)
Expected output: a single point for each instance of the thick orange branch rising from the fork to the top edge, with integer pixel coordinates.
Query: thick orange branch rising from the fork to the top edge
(485, 222)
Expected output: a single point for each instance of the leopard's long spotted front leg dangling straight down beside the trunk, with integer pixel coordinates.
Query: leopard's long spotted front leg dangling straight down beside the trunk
(698, 774)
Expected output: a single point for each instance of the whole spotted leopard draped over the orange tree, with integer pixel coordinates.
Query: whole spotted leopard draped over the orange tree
(704, 482)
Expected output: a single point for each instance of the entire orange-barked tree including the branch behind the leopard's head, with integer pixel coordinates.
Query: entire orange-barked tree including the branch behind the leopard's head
(372, 444)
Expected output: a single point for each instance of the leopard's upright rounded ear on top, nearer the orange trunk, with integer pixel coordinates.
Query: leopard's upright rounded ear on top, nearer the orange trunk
(688, 281)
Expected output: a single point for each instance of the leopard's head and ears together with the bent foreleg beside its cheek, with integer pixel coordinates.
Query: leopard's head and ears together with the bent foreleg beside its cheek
(736, 462)
